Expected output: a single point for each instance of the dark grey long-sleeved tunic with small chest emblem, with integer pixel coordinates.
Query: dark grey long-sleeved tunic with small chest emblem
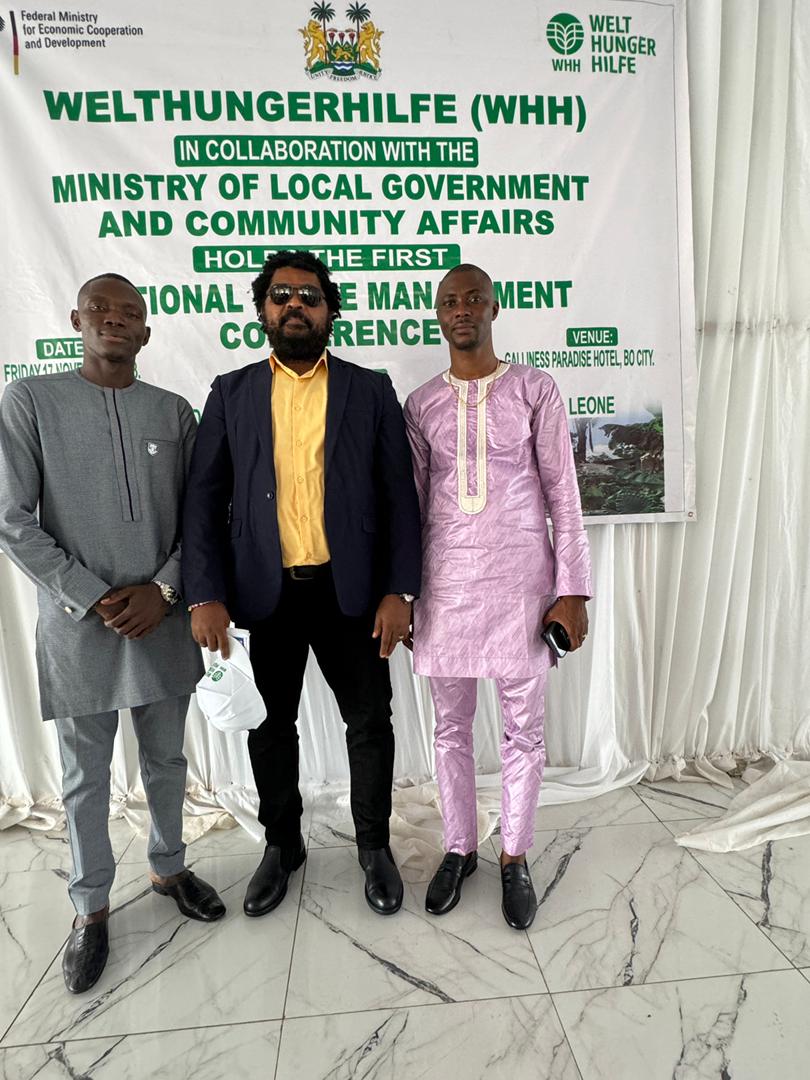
(91, 497)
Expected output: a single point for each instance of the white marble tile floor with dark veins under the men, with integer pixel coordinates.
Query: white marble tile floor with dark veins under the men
(645, 962)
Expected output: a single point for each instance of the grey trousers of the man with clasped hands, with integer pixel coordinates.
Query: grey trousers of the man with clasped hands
(86, 747)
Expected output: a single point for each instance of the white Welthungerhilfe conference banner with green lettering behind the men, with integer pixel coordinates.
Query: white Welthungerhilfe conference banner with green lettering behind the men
(181, 144)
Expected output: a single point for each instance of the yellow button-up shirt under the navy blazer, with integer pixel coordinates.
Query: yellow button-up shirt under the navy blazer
(299, 409)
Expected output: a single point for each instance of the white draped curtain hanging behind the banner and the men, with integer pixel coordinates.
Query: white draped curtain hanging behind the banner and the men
(698, 649)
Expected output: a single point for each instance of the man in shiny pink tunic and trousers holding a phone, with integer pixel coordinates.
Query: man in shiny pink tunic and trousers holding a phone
(492, 456)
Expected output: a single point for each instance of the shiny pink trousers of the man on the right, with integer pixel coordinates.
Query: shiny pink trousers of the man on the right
(523, 758)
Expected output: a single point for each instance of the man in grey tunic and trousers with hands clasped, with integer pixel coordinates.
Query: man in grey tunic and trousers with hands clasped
(93, 466)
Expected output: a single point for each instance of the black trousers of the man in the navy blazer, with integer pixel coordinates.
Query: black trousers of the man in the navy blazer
(308, 615)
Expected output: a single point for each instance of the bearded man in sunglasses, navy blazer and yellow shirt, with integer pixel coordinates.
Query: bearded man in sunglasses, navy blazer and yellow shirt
(302, 524)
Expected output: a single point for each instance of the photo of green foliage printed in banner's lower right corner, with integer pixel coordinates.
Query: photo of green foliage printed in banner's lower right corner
(620, 467)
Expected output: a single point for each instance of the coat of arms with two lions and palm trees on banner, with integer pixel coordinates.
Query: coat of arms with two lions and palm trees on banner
(342, 55)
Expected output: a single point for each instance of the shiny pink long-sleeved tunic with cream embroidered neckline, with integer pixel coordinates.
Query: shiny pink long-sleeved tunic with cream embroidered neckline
(492, 457)
